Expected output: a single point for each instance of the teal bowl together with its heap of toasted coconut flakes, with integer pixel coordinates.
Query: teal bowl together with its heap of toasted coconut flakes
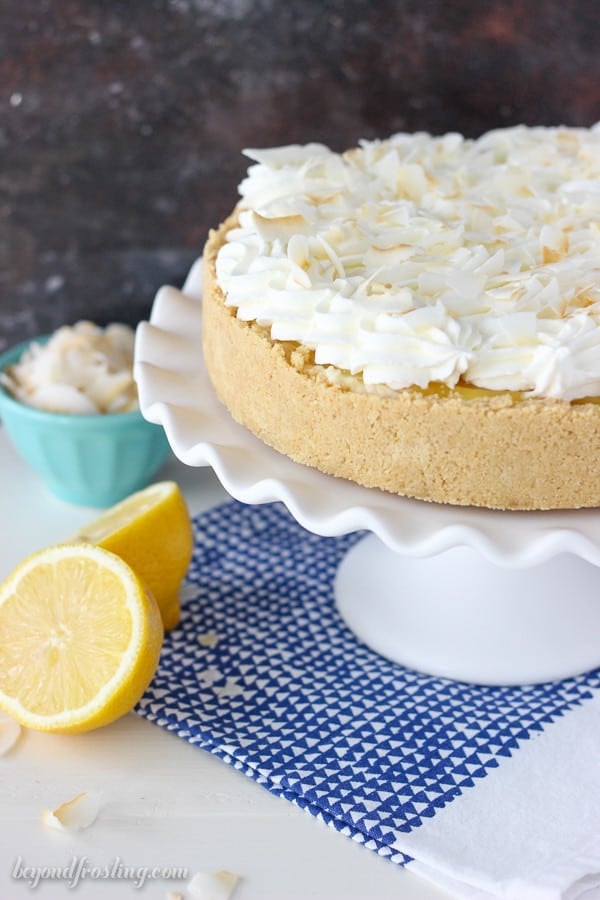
(69, 404)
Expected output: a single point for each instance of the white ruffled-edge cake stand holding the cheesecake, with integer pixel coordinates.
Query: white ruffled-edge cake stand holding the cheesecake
(470, 594)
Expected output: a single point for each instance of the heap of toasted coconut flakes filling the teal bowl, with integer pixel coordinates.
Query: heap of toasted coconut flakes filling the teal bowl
(82, 370)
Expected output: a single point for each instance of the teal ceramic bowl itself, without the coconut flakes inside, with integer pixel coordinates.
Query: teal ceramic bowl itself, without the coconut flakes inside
(92, 460)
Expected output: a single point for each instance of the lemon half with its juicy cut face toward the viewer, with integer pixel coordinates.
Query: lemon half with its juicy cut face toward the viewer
(80, 639)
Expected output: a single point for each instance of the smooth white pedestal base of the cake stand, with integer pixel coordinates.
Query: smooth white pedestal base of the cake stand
(458, 616)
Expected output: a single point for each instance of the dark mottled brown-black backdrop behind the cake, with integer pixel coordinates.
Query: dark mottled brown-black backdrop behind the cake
(121, 123)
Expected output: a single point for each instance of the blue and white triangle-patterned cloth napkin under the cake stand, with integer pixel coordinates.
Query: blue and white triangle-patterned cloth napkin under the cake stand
(488, 792)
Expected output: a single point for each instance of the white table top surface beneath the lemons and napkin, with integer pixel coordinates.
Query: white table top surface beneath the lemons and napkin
(165, 802)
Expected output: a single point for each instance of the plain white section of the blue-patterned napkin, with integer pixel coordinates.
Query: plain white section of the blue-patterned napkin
(530, 829)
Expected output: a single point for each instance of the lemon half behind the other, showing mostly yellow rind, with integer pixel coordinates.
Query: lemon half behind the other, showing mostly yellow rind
(152, 531)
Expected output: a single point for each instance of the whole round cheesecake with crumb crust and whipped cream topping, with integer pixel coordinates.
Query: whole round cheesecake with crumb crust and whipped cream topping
(419, 315)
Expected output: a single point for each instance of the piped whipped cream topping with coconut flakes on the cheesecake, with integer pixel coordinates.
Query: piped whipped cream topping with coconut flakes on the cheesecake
(429, 259)
